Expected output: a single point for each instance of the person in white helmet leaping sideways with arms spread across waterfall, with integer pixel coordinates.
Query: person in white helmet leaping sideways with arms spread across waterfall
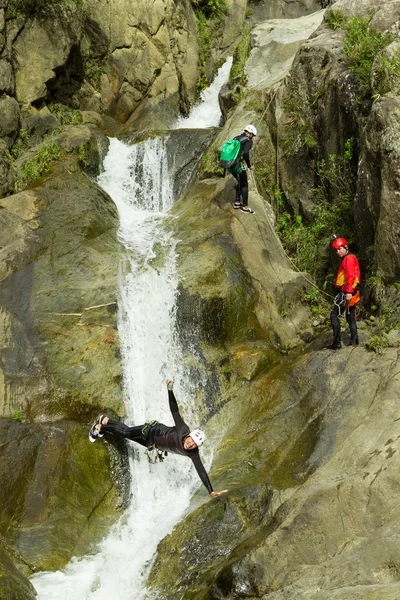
(177, 440)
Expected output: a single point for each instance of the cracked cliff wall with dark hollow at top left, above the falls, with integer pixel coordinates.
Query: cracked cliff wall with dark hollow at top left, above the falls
(84, 57)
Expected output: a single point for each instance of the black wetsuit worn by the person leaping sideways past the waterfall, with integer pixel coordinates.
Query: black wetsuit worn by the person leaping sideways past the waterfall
(169, 439)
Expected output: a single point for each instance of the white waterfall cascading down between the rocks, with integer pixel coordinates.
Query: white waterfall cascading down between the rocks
(136, 177)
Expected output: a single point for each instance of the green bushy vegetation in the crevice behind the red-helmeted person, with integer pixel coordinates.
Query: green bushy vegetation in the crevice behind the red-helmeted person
(307, 243)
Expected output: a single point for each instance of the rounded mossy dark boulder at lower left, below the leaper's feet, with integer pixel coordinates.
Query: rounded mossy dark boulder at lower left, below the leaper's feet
(53, 502)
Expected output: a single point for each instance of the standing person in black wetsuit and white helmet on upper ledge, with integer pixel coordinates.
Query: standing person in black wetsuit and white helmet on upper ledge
(239, 170)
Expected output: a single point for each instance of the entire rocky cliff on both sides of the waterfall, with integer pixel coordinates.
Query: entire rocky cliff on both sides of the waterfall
(308, 438)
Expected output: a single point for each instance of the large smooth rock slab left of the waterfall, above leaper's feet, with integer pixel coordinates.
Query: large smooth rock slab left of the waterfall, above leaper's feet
(58, 287)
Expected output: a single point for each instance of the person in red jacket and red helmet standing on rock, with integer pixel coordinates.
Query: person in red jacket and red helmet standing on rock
(348, 296)
